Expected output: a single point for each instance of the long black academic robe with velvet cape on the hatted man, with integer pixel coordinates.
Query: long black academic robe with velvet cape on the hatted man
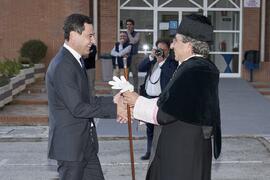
(190, 115)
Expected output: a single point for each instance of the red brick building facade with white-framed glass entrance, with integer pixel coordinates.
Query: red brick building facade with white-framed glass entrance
(239, 25)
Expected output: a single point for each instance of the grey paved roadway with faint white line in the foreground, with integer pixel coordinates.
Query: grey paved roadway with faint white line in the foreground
(243, 158)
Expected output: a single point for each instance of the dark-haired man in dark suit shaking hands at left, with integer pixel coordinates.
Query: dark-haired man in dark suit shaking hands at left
(72, 134)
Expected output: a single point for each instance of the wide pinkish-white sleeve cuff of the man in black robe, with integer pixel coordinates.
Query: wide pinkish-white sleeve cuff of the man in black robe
(146, 110)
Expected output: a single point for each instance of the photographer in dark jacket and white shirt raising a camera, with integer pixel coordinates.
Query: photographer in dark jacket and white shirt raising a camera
(160, 66)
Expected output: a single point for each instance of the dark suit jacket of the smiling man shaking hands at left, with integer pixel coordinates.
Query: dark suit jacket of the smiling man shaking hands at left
(71, 109)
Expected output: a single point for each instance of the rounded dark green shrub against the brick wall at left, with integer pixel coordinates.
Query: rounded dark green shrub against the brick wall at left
(35, 50)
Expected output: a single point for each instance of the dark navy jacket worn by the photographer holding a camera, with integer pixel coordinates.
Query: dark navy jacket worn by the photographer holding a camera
(167, 69)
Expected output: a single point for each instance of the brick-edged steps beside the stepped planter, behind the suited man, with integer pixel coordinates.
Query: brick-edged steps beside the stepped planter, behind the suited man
(30, 107)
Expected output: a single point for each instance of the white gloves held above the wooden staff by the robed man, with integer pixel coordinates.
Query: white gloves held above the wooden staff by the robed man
(122, 84)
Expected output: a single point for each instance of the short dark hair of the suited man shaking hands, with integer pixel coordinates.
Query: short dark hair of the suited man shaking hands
(75, 22)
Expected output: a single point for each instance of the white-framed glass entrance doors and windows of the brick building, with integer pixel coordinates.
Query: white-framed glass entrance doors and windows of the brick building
(160, 18)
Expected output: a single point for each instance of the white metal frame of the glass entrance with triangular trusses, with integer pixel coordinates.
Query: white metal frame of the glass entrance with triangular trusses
(205, 7)
